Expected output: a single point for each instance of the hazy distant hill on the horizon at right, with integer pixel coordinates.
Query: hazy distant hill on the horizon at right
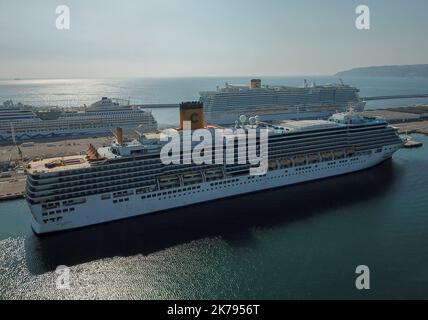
(414, 70)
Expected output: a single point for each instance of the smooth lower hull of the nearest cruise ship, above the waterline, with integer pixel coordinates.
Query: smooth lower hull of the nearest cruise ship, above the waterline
(96, 211)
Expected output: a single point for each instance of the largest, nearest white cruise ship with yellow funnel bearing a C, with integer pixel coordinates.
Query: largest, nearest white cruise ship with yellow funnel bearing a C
(128, 178)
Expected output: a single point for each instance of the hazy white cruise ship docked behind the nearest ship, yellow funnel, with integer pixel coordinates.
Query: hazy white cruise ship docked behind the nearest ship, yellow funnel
(276, 103)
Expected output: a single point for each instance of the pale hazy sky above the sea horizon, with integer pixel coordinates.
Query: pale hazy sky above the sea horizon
(163, 38)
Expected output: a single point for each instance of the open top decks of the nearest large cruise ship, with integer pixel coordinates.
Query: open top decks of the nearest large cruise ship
(152, 143)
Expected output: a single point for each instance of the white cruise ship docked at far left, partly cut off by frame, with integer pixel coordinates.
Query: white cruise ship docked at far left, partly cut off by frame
(27, 123)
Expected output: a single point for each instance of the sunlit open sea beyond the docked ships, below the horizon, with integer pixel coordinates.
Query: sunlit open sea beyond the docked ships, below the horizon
(76, 92)
